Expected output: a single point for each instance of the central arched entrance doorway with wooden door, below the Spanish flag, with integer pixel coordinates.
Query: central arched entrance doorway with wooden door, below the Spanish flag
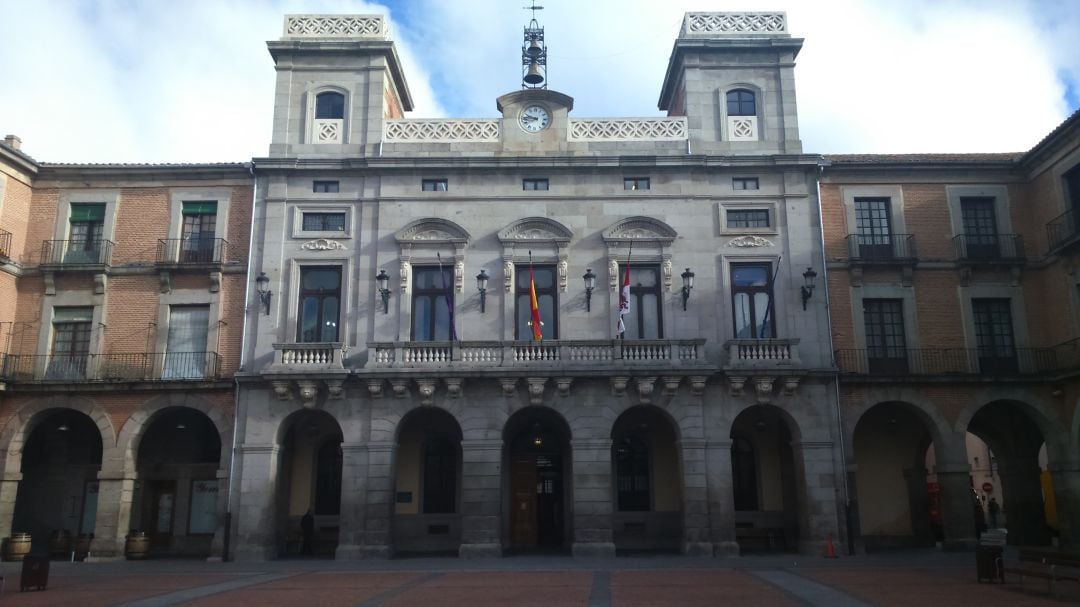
(539, 496)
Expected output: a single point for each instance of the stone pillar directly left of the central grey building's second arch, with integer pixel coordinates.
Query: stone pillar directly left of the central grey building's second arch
(379, 516)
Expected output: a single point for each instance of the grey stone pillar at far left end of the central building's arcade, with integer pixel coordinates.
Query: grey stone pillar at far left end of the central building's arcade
(255, 516)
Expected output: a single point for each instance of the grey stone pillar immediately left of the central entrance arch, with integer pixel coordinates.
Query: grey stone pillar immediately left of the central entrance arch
(481, 498)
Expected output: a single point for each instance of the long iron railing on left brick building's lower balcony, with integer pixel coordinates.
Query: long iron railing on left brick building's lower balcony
(136, 367)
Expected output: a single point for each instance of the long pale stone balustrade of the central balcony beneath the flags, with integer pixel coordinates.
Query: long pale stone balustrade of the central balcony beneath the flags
(525, 355)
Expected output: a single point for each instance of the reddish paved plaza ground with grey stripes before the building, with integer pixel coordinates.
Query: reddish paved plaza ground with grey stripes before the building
(917, 579)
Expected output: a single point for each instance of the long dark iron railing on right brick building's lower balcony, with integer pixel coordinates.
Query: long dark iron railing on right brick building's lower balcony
(1001, 361)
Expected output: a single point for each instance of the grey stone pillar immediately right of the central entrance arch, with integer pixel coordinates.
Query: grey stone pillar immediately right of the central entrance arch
(592, 498)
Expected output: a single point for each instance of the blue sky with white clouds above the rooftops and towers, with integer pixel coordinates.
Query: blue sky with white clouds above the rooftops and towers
(192, 82)
